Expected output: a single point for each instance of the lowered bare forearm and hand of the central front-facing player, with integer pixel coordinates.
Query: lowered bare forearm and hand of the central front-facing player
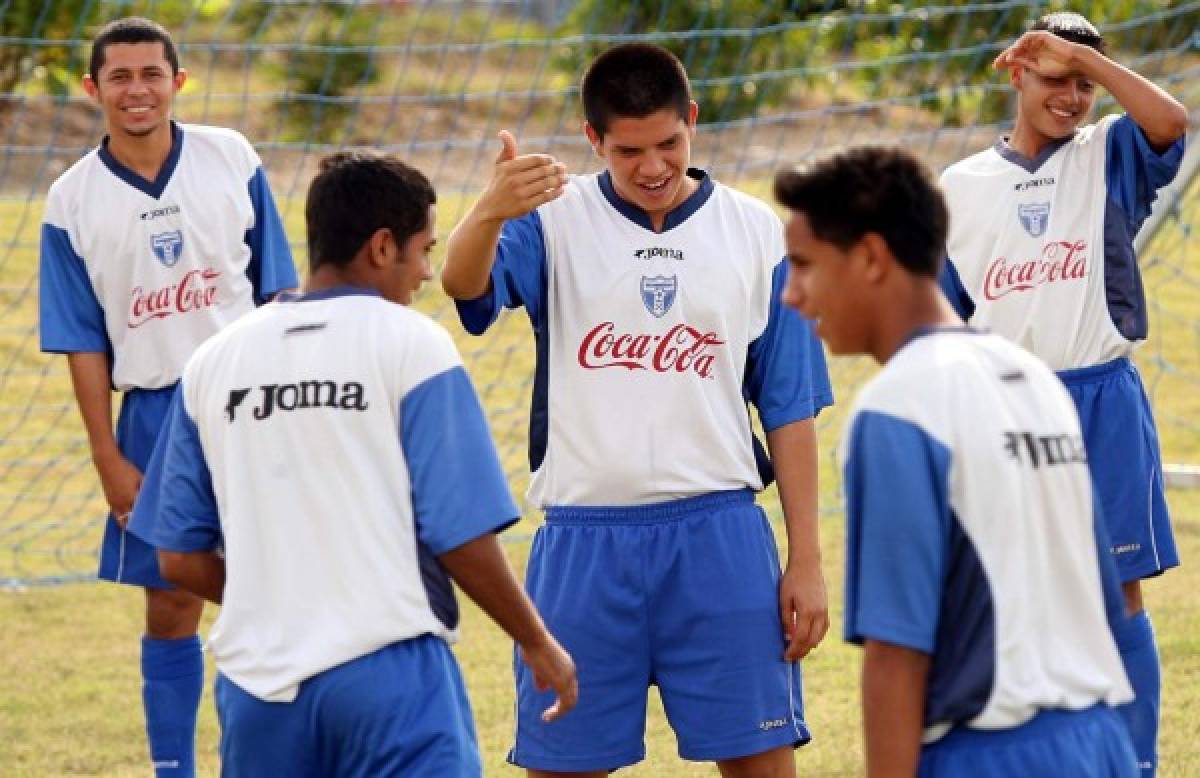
(802, 594)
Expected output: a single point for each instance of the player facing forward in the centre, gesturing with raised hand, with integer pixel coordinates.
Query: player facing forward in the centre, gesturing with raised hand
(653, 292)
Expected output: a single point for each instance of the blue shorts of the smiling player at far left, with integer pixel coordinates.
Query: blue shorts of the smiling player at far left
(125, 558)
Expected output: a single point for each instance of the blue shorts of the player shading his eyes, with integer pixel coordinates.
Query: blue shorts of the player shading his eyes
(1127, 466)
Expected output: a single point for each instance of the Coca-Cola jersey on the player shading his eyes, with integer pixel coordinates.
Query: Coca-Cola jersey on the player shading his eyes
(1043, 249)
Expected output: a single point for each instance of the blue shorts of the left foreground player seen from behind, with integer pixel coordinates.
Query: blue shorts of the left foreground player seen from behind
(399, 711)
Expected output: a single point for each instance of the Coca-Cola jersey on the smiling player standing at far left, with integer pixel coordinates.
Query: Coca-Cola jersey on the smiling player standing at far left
(148, 271)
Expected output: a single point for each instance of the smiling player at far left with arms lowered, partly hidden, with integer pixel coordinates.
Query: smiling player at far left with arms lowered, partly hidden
(152, 243)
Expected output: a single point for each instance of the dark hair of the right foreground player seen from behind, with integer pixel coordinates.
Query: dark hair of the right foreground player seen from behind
(873, 190)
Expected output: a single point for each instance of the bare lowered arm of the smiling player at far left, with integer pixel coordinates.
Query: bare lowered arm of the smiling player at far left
(118, 477)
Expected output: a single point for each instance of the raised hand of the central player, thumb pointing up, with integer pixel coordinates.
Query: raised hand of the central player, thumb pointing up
(520, 183)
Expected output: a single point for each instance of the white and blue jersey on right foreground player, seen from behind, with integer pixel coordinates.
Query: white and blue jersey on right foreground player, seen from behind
(973, 535)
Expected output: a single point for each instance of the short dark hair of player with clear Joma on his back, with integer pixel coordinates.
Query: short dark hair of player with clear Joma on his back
(358, 193)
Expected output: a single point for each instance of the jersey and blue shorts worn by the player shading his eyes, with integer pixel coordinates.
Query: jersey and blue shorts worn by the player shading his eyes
(1041, 252)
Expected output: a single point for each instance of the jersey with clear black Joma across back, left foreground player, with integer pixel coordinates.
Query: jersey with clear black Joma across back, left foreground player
(326, 444)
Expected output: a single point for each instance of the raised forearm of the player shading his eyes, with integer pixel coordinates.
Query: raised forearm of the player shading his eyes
(1161, 117)
